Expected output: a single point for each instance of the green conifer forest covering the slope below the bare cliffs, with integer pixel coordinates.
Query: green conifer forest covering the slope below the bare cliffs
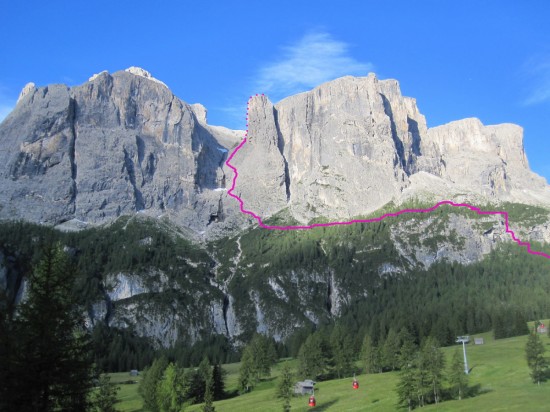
(500, 292)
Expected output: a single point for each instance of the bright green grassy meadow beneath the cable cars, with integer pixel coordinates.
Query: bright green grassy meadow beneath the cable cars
(497, 367)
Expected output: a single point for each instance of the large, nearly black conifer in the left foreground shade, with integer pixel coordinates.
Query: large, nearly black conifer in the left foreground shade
(52, 367)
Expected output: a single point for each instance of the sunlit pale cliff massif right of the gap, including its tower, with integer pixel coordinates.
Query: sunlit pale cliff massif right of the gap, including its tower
(352, 145)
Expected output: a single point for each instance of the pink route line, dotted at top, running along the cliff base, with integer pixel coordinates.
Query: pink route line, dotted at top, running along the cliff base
(376, 219)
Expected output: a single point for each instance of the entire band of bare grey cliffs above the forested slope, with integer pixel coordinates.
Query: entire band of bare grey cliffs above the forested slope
(122, 143)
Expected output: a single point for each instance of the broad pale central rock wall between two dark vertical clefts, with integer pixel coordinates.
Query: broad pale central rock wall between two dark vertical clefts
(345, 155)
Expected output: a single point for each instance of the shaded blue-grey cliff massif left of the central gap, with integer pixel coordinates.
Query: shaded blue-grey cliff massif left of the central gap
(118, 144)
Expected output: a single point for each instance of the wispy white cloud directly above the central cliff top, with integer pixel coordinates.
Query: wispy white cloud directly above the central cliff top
(314, 59)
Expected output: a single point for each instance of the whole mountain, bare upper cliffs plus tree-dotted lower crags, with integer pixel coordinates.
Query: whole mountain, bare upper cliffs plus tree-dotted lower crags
(143, 176)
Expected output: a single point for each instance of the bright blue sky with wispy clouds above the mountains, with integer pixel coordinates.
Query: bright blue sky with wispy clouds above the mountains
(485, 59)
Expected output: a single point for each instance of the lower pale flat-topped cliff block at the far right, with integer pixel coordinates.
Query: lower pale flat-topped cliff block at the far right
(488, 160)
